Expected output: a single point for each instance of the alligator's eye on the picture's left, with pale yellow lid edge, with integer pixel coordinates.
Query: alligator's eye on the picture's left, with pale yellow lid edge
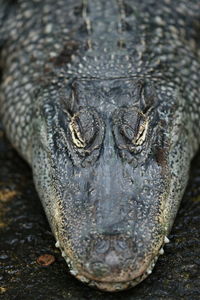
(83, 128)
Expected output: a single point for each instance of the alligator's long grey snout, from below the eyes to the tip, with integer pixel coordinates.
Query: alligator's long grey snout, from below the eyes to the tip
(114, 230)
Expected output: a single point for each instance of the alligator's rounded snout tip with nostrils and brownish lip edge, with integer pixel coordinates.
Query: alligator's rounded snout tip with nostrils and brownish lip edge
(113, 265)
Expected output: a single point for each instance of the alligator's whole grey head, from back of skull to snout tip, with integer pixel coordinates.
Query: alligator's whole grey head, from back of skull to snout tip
(108, 159)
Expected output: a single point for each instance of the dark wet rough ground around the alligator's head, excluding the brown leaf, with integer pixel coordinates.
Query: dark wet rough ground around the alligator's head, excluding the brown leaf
(25, 236)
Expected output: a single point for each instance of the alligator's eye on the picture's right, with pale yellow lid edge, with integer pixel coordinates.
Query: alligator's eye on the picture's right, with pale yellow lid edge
(130, 128)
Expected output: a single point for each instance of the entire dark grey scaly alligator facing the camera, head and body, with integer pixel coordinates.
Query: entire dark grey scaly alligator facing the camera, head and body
(102, 99)
